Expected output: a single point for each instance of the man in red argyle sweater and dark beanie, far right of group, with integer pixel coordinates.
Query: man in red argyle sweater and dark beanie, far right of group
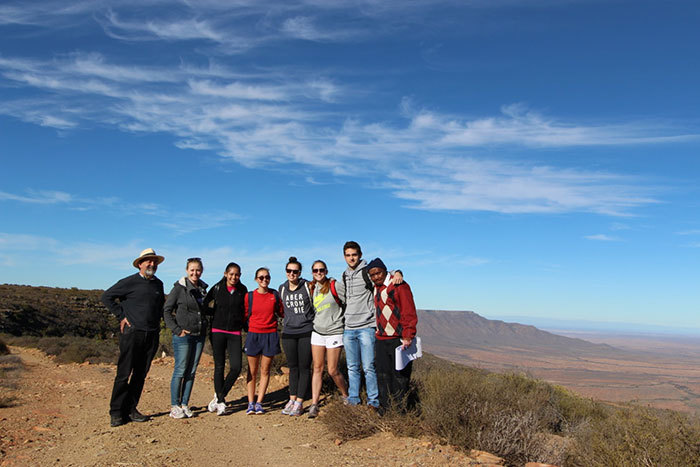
(396, 326)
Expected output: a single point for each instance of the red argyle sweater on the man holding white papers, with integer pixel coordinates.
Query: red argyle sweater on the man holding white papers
(396, 312)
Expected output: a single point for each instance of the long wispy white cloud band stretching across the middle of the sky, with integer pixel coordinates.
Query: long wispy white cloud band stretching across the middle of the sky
(262, 124)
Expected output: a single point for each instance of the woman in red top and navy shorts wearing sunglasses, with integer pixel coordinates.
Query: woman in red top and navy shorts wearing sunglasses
(262, 307)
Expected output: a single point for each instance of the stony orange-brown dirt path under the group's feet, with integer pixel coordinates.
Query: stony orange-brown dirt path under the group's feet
(60, 417)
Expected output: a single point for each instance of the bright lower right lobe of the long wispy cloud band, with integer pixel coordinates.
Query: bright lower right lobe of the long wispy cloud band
(463, 184)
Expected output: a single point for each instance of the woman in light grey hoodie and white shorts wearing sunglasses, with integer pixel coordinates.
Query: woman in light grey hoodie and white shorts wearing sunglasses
(327, 336)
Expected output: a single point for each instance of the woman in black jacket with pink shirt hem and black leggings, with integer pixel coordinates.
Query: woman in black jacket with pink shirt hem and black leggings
(225, 302)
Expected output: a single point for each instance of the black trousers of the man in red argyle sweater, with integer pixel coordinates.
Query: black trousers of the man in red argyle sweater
(393, 385)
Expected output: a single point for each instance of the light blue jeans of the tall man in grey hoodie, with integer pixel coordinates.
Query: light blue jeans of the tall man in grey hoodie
(359, 349)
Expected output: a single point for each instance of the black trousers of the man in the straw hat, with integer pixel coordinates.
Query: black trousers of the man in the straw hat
(136, 351)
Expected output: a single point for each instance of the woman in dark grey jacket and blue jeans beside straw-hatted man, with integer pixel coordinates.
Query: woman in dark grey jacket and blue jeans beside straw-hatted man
(183, 315)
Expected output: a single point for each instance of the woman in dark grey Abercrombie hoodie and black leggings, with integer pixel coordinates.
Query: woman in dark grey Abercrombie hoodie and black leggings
(296, 335)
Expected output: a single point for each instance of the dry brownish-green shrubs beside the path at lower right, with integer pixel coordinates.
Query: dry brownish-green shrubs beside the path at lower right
(526, 420)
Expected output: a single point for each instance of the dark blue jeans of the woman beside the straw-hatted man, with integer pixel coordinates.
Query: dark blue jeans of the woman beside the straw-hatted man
(187, 350)
